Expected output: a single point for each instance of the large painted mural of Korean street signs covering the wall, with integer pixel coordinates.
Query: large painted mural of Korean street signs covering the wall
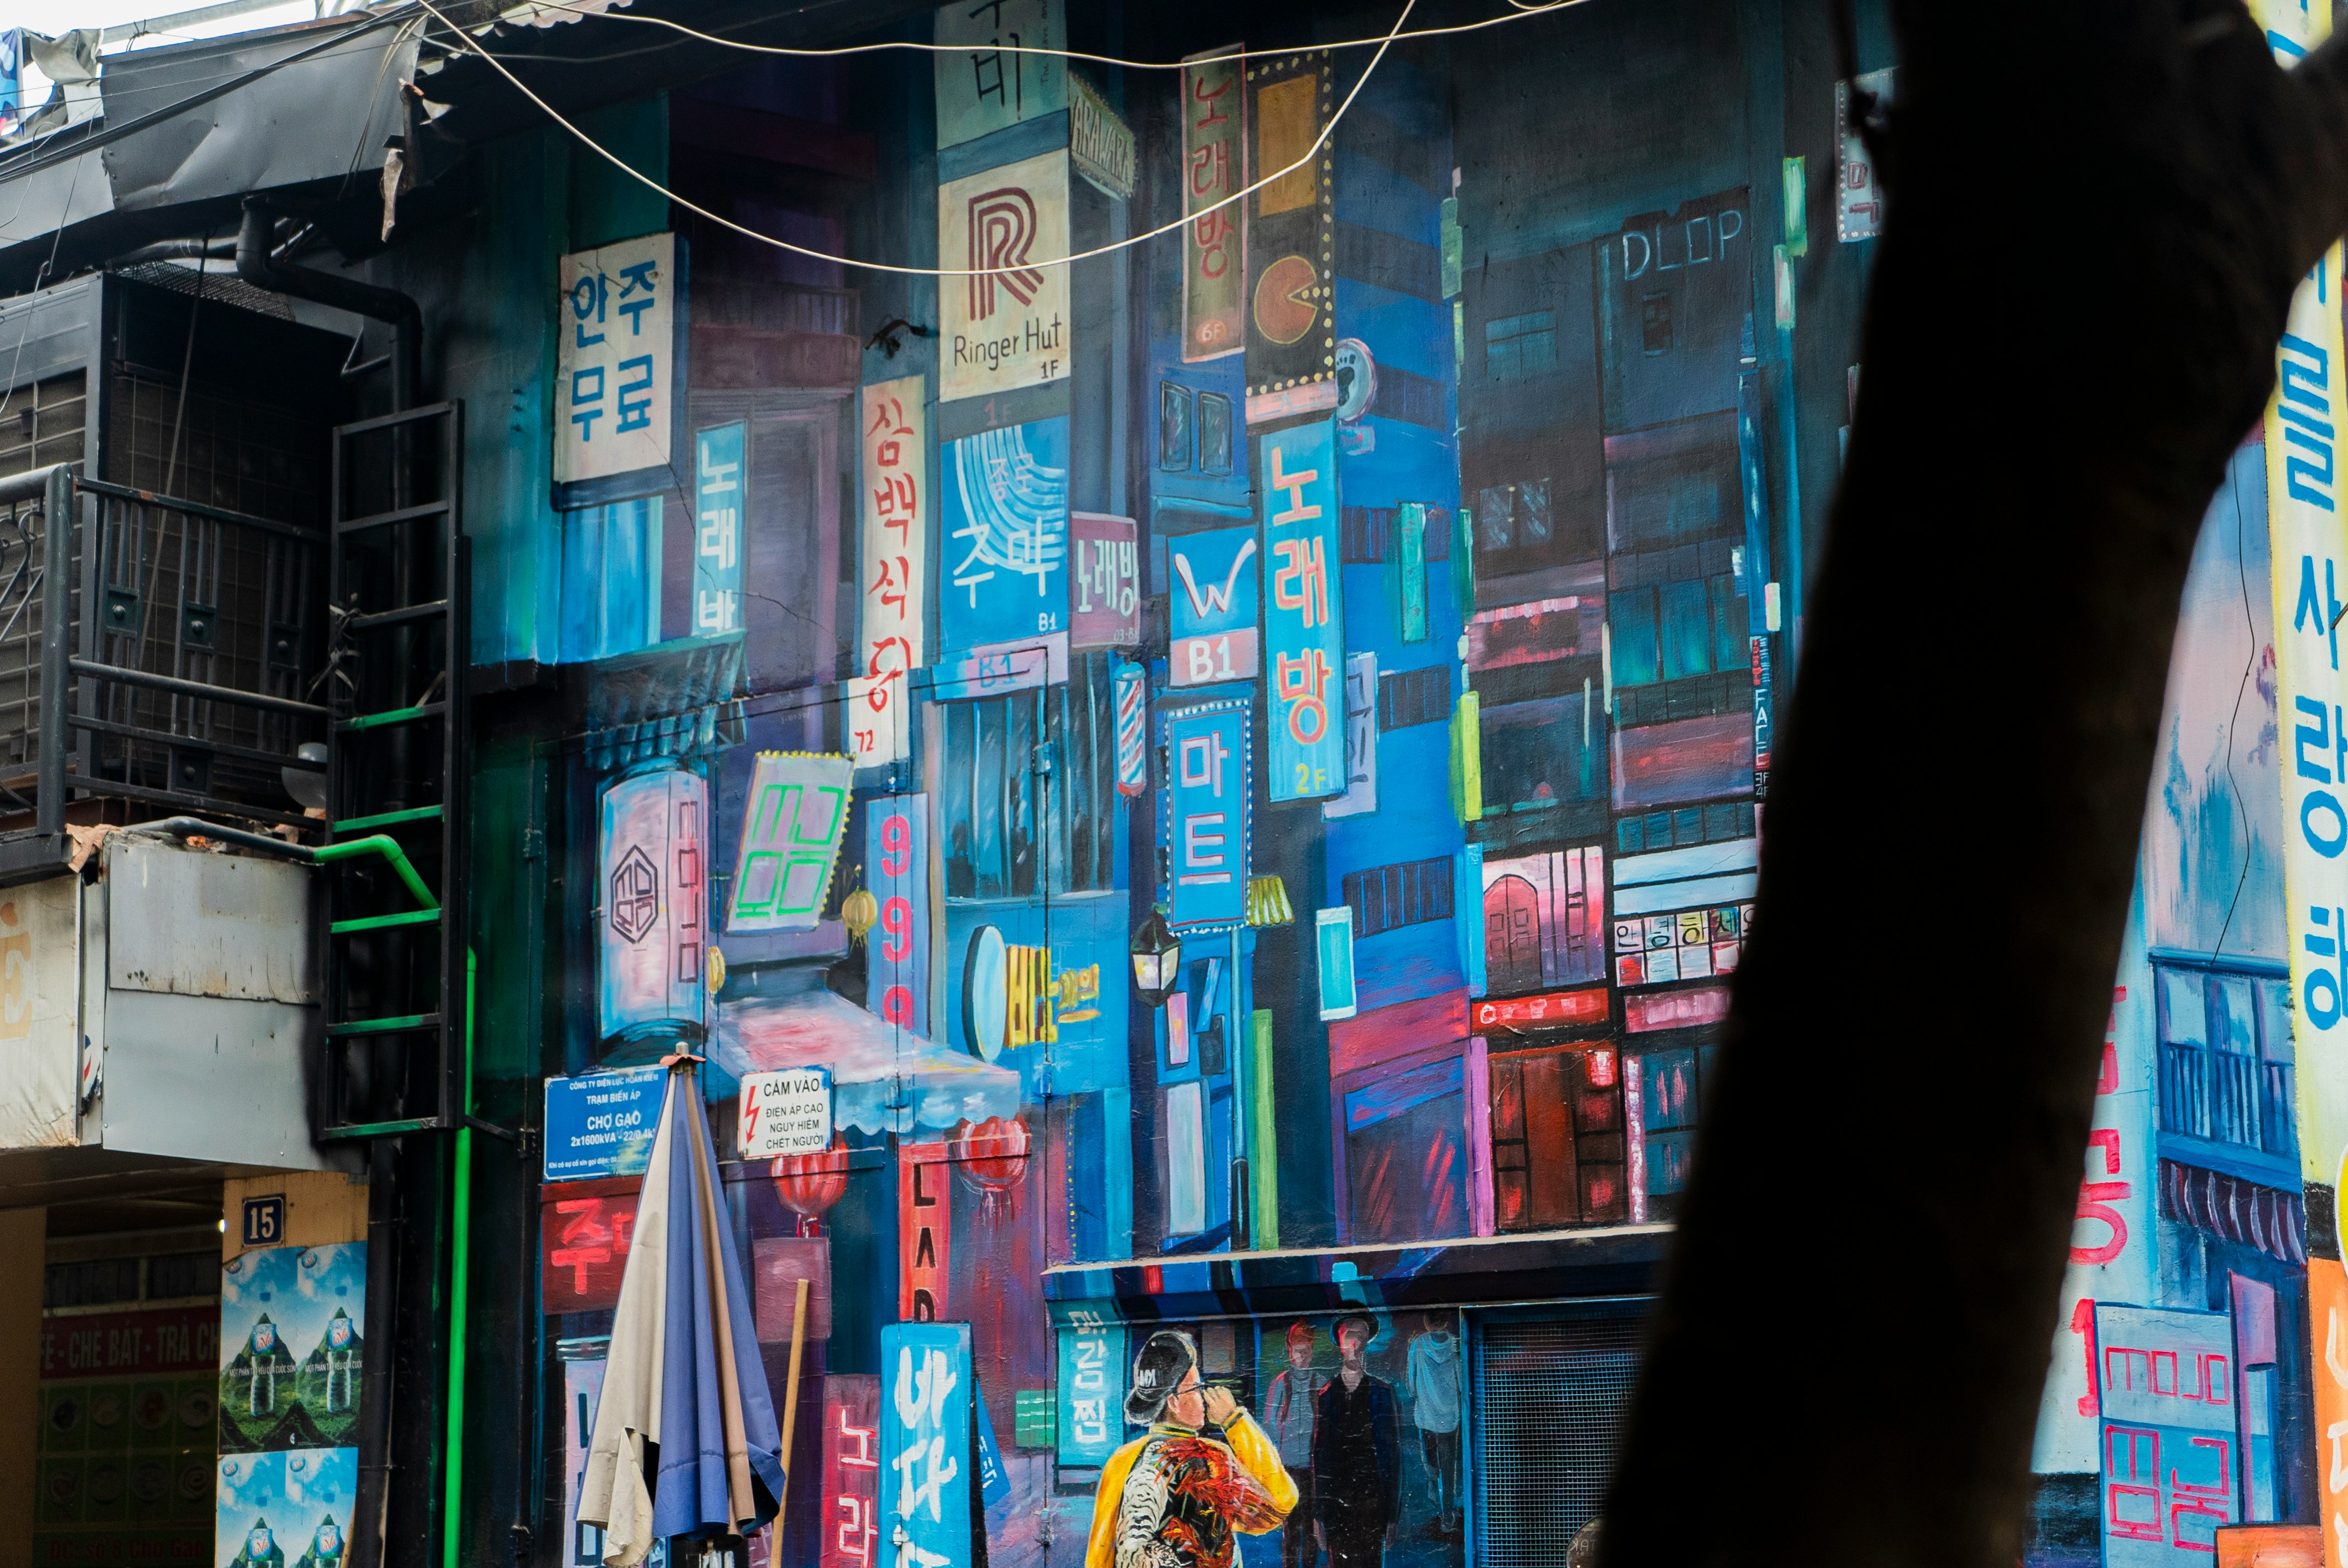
(1201, 806)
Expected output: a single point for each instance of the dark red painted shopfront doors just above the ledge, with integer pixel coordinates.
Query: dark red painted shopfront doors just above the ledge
(1558, 1149)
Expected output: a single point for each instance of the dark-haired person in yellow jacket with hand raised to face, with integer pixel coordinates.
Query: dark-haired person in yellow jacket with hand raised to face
(1175, 1496)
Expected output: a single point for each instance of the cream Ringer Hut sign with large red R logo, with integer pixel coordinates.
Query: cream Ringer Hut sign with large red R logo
(1006, 325)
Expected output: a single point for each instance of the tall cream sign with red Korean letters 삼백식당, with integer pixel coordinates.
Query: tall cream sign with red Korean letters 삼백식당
(893, 565)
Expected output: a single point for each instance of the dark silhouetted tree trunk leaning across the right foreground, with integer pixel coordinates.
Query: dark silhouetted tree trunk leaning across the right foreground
(2098, 215)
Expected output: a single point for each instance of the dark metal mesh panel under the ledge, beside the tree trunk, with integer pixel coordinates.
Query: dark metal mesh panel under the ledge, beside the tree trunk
(1551, 1403)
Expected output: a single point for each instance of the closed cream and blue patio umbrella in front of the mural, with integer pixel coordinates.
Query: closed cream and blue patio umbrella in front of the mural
(684, 1433)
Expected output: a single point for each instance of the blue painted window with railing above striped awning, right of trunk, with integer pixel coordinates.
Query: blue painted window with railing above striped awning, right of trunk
(2225, 1062)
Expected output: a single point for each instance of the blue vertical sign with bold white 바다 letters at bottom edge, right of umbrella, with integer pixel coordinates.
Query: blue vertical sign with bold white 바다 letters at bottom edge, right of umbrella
(926, 1461)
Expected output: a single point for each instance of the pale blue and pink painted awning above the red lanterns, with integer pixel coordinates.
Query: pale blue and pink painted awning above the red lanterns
(884, 1079)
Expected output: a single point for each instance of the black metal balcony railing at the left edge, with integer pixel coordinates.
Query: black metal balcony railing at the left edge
(158, 654)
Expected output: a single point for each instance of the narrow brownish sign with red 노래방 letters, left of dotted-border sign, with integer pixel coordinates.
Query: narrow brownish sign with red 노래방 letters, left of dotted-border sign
(1215, 168)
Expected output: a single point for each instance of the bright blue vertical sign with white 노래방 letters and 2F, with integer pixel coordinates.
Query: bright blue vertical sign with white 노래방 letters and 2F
(1304, 628)
